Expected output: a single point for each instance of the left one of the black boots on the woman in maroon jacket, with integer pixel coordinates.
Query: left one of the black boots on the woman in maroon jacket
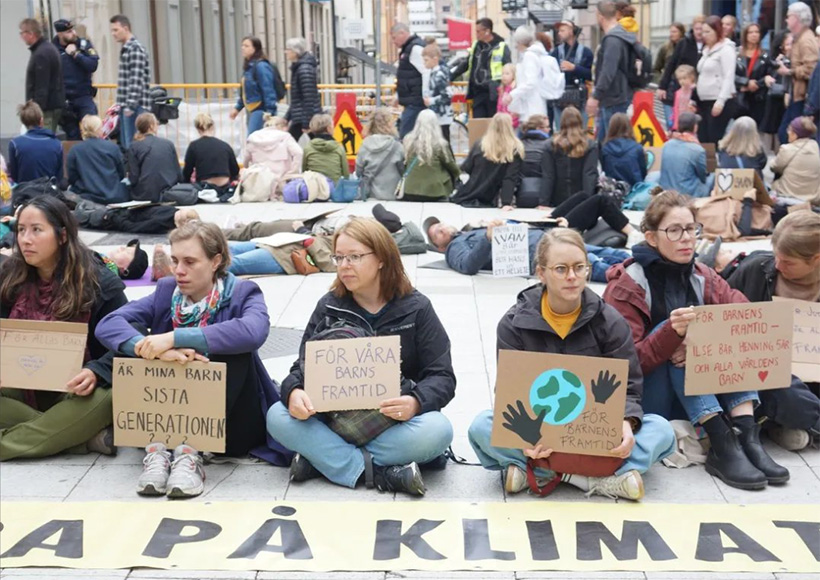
(726, 459)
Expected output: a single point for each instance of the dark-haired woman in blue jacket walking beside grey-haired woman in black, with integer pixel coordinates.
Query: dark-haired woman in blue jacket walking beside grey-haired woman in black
(258, 91)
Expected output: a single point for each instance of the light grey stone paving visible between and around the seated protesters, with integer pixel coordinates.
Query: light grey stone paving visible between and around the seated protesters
(469, 308)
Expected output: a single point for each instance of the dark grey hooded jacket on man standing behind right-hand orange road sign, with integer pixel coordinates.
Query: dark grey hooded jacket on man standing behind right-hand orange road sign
(611, 65)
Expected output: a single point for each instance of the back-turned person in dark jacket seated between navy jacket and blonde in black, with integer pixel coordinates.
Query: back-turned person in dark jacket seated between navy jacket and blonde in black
(153, 164)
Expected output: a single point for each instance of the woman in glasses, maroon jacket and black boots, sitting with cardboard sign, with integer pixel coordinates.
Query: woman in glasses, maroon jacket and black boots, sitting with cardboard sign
(655, 291)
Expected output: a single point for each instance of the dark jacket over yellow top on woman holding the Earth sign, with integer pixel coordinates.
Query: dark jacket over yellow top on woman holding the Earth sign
(599, 331)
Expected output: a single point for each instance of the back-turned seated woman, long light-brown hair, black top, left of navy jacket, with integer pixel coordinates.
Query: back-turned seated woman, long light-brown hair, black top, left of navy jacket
(570, 161)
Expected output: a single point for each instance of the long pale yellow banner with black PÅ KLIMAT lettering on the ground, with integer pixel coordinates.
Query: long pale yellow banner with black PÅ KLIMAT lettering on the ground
(319, 537)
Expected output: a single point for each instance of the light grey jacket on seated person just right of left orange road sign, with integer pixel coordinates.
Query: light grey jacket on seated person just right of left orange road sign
(379, 166)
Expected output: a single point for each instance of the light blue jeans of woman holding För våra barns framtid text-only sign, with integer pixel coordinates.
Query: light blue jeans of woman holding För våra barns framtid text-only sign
(421, 439)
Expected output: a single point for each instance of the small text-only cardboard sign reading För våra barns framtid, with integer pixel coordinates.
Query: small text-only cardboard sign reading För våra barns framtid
(352, 373)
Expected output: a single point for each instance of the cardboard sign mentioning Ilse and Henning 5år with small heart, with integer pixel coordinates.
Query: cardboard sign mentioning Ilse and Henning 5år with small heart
(739, 347)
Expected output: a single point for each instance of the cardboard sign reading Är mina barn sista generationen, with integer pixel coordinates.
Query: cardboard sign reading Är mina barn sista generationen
(169, 403)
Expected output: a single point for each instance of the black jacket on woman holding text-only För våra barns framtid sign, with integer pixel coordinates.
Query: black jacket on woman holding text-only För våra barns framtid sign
(425, 346)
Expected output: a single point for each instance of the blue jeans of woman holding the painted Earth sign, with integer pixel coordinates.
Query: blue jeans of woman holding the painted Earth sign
(654, 441)
